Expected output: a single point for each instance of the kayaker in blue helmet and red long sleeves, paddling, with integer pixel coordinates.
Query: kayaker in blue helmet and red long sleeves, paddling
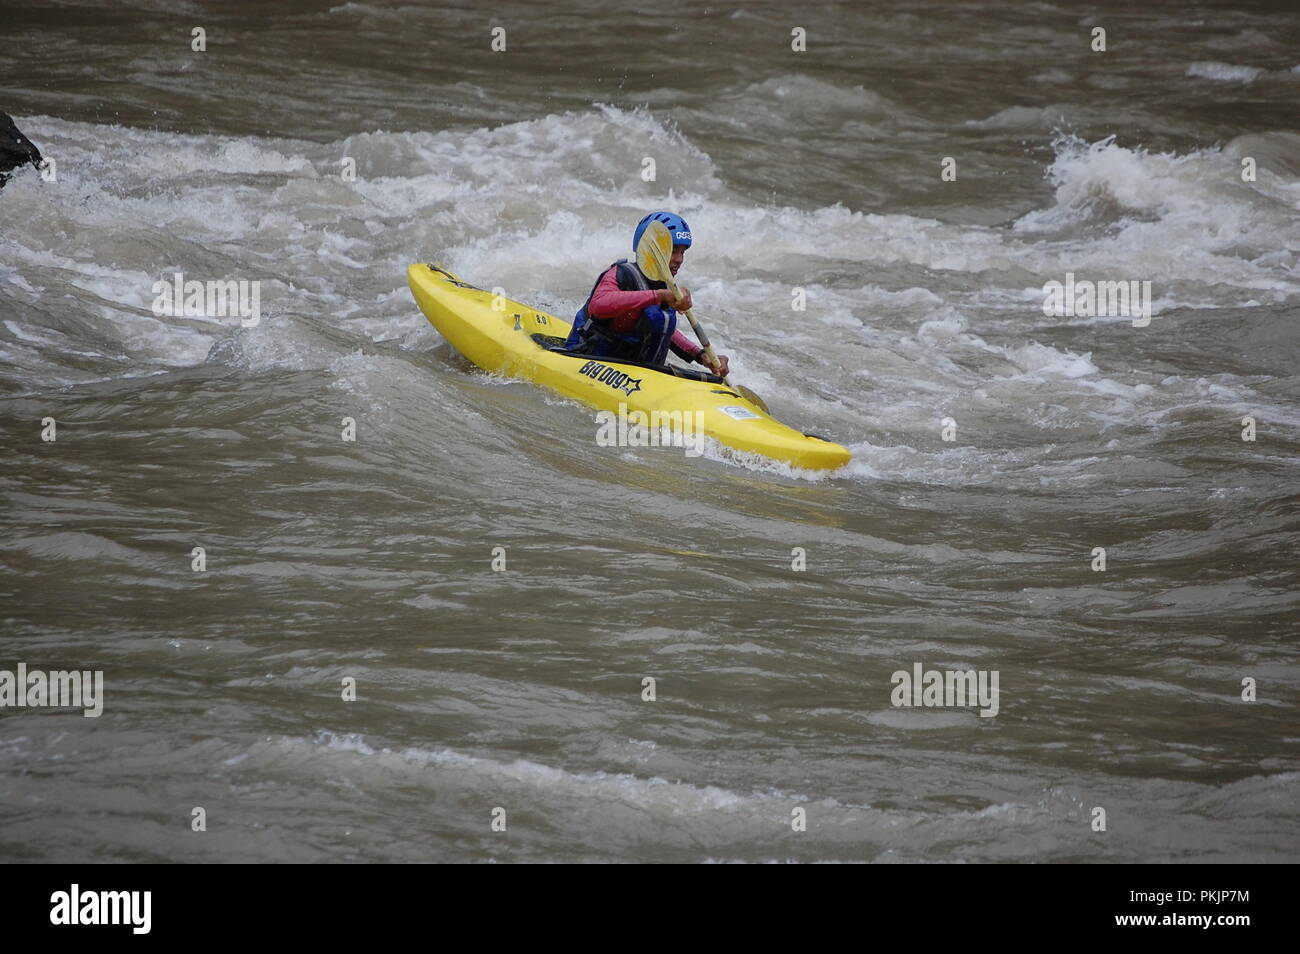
(632, 318)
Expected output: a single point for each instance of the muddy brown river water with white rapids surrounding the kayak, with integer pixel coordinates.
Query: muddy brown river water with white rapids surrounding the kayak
(772, 608)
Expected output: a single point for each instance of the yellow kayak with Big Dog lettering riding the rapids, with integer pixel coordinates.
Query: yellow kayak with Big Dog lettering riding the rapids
(522, 342)
